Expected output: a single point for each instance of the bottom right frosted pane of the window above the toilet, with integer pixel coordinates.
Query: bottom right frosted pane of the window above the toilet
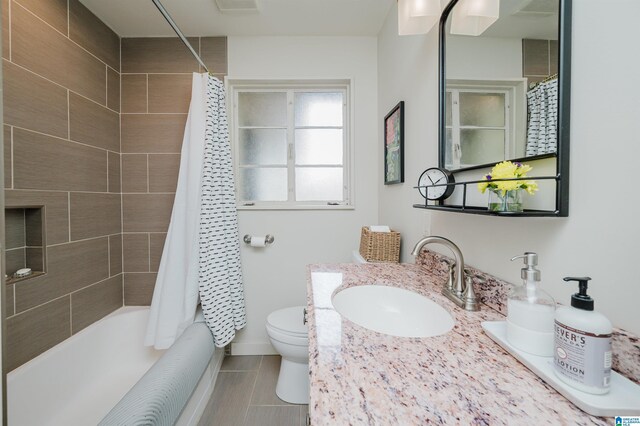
(319, 183)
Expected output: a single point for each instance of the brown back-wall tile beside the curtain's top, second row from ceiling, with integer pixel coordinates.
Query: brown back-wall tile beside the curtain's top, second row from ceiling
(169, 93)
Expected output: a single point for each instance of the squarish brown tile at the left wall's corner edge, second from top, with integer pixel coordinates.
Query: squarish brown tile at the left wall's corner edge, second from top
(93, 124)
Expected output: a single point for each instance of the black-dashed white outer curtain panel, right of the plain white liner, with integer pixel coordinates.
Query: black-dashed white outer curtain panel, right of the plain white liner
(220, 277)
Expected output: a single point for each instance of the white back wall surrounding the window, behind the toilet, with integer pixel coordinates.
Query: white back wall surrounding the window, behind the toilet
(275, 277)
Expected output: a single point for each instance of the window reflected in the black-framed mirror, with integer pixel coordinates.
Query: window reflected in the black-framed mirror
(480, 124)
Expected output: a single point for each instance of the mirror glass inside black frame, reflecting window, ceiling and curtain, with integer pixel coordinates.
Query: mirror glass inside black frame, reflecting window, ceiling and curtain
(501, 96)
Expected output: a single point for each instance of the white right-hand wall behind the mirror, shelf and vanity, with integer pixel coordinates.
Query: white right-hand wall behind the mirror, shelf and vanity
(601, 236)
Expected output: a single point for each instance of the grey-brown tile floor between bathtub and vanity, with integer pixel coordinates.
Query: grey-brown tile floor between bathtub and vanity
(245, 394)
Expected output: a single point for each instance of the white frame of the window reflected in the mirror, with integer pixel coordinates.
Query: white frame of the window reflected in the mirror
(514, 91)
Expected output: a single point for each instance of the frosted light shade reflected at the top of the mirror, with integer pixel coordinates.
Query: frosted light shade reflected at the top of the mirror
(473, 17)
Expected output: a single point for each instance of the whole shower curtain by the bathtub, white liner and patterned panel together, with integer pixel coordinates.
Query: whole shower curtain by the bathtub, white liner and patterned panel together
(201, 256)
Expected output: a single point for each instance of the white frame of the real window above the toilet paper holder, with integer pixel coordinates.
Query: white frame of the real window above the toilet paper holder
(236, 86)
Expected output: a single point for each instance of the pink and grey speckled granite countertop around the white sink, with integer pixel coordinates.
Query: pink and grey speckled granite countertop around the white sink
(361, 377)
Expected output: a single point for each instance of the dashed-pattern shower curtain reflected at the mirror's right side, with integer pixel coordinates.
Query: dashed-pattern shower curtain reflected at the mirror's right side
(542, 104)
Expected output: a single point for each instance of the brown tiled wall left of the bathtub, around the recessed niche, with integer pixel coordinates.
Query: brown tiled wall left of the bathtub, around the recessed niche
(61, 85)
